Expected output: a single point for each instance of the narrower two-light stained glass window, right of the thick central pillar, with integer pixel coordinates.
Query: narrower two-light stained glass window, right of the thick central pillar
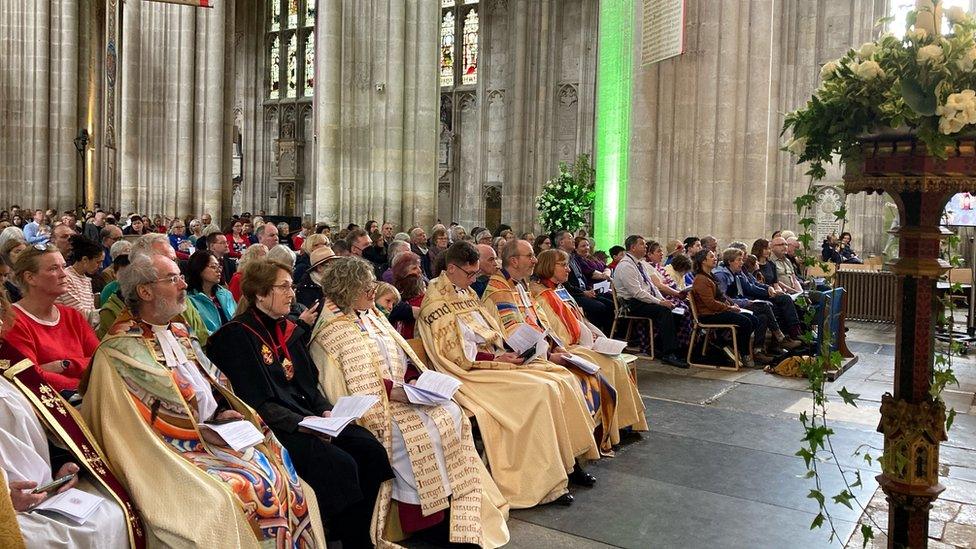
(460, 26)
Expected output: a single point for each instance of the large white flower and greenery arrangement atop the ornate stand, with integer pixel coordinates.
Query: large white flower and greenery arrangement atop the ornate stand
(884, 84)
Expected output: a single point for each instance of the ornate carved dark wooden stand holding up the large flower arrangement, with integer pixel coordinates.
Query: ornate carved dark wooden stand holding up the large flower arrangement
(912, 422)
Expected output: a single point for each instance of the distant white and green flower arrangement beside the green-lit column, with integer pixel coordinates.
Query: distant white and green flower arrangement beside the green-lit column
(568, 198)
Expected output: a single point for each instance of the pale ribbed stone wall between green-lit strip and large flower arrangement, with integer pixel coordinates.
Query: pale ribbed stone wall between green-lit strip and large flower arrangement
(704, 152)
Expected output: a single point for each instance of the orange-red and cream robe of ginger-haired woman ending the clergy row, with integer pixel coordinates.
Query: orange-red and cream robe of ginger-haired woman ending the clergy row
(556, 303)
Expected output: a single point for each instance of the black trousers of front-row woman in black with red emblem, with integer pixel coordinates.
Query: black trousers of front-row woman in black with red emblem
(346, 475)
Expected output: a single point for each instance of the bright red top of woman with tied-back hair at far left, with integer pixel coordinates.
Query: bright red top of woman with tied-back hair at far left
(70, 338)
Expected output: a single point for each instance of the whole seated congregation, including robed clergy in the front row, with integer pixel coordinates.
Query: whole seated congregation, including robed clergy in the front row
(177, 384)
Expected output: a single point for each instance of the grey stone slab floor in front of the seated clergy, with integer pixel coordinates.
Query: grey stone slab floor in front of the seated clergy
(718, 469)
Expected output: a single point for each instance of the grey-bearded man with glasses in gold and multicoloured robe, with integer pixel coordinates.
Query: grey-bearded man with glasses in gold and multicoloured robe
(150, 394)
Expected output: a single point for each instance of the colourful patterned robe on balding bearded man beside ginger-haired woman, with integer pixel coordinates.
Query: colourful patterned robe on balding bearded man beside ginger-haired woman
(514, 306)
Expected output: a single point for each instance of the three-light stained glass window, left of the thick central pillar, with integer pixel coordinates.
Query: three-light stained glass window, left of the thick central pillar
(291, 49)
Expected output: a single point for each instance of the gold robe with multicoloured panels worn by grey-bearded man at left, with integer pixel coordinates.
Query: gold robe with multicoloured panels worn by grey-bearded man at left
(145, 416)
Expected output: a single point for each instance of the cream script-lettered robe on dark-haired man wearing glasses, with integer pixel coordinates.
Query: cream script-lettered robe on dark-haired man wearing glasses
(532, 417)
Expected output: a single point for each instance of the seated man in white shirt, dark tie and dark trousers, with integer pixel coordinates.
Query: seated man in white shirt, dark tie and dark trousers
(641, 298)
